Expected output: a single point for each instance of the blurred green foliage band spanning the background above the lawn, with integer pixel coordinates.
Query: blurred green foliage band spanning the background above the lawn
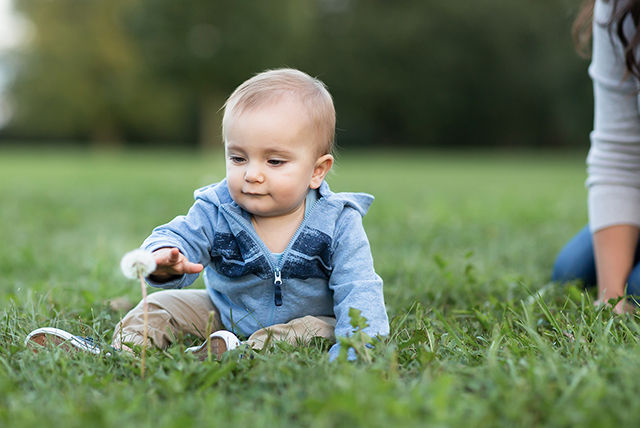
(417, 72)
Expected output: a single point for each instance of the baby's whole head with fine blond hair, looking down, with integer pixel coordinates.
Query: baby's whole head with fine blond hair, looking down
(278, 130)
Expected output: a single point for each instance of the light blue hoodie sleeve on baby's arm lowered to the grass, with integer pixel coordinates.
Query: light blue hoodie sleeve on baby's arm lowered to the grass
(354, 281)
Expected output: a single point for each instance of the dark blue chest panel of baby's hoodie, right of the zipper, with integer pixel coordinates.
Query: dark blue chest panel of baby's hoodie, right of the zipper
(309, 256)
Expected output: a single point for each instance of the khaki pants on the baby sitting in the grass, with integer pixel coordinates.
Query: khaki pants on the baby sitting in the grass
(176, 312)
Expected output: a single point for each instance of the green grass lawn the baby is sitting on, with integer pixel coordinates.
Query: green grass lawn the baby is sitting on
(463, 242)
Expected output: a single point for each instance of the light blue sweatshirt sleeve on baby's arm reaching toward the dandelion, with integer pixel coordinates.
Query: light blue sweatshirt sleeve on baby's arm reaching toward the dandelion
(192, 234)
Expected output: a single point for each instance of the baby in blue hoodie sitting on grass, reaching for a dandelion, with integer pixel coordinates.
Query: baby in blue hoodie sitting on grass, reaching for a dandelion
(284, 258)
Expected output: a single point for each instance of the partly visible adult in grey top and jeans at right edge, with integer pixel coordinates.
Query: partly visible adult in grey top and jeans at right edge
(606, 251)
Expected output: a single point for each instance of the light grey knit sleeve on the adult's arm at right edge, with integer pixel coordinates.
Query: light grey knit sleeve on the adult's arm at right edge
(613, 164)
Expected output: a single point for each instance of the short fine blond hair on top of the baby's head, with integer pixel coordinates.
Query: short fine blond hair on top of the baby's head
(271, 85)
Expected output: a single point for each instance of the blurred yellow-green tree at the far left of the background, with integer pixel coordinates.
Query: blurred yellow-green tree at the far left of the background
(80, 77)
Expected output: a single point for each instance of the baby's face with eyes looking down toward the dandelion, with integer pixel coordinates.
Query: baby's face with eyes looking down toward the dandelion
(270, 156)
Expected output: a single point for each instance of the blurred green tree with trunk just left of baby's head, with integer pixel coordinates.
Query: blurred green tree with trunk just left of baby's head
(211, 46)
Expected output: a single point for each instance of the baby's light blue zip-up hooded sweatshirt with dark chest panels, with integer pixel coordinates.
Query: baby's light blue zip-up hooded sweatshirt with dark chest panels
(326, 269)
